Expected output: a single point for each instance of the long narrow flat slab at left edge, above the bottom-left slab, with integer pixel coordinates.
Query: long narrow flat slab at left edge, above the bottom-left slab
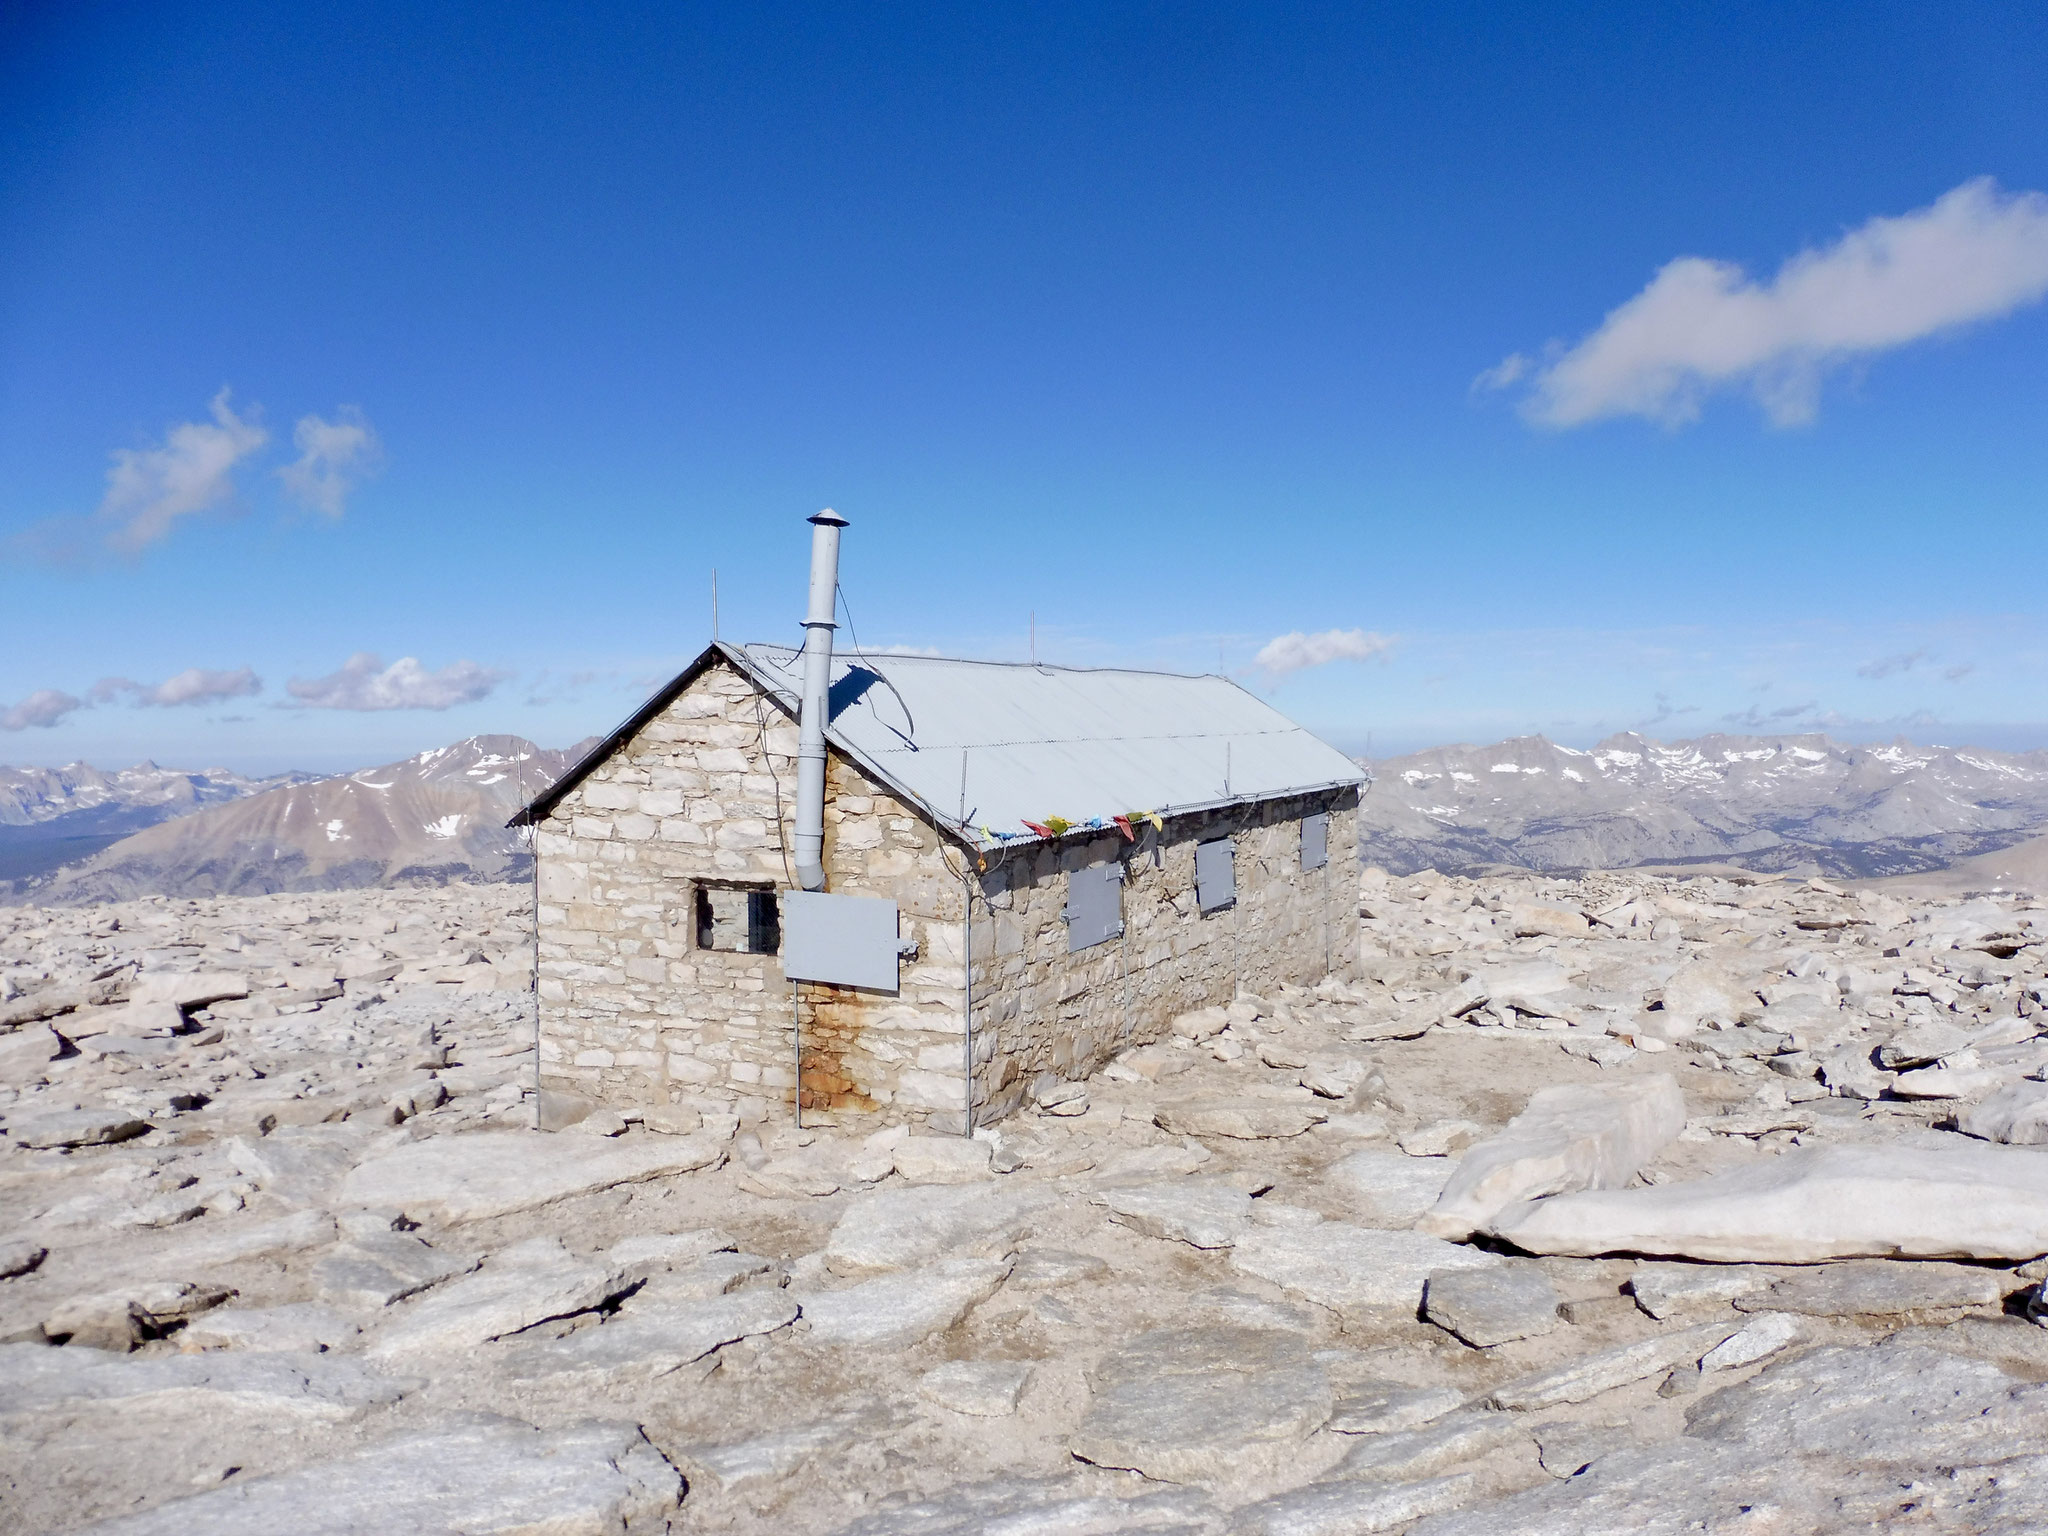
(38, 1379)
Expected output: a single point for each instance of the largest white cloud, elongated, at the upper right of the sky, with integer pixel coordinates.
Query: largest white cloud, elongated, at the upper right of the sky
(1705, 325)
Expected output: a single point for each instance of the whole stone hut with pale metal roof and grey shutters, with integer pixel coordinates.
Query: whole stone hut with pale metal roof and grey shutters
(1027, 869)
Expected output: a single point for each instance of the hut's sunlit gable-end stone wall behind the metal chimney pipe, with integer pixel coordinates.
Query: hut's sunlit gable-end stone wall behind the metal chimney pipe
(636, 1015)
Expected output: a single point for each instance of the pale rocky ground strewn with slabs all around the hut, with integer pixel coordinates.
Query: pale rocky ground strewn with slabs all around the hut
(1326, 1263)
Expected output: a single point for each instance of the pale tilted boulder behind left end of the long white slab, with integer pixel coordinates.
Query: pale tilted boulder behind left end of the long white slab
(1578, 1138)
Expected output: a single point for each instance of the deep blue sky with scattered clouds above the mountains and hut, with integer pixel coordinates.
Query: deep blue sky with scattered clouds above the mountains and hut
(1181, 329)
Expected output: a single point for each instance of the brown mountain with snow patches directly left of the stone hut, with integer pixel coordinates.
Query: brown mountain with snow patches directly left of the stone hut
(427, 820)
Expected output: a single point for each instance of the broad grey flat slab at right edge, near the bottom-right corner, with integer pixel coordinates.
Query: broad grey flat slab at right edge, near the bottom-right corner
(1902, 1406)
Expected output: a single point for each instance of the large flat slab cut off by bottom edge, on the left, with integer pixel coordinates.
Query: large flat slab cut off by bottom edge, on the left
(484, 1480)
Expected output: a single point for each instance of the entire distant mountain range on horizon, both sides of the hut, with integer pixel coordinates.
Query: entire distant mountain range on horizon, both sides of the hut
(1789, 804)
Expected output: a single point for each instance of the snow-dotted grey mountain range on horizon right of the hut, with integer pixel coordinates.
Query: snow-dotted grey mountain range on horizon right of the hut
(1770, 804)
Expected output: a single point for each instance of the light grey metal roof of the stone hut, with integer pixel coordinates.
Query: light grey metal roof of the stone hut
(1054, 742)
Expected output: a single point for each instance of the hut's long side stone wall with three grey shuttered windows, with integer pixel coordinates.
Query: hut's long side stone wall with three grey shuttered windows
(1043, 1011)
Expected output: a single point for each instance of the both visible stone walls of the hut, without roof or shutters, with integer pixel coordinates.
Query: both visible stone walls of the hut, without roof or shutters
(636, 1015)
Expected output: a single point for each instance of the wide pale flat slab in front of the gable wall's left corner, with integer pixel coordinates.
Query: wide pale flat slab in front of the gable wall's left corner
(497, 1172)
